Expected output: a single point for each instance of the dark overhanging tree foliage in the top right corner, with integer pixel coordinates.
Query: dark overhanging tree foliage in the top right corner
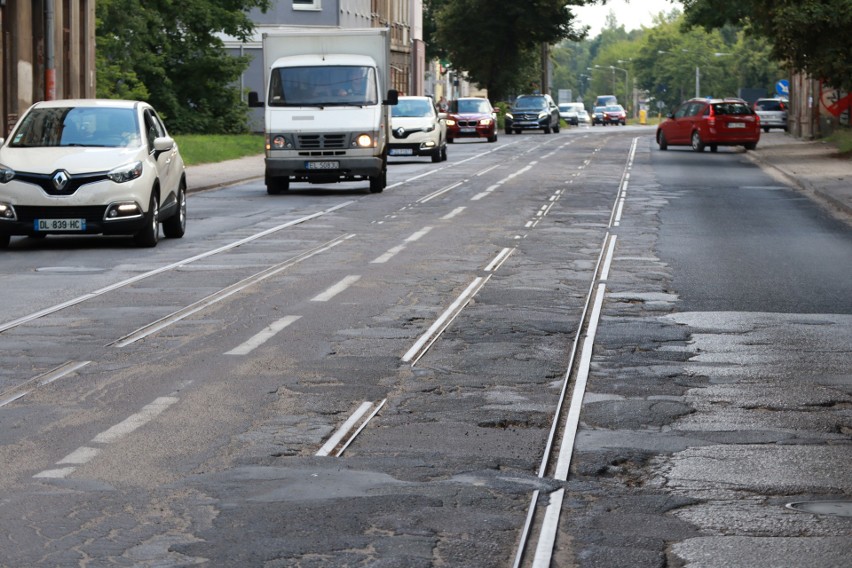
(811, 36)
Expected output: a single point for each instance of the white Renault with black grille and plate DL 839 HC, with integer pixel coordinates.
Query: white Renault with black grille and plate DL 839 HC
(91, 166)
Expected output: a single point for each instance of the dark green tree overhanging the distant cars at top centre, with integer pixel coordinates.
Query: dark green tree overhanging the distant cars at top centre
(498, 42)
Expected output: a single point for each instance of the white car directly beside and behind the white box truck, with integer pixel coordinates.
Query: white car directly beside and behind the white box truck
(417, 129)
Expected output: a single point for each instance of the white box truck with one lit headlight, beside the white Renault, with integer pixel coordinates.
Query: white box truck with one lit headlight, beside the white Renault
(326, 116)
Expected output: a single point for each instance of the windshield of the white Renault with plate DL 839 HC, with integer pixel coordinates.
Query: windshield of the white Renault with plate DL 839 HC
(77, 126)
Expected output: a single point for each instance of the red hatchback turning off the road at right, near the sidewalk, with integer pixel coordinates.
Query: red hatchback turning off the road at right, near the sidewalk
(710, 122)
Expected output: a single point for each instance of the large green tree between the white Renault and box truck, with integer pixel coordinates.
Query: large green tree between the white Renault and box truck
(169, 54)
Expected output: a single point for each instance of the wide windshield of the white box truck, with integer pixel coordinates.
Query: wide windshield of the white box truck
(323, 86)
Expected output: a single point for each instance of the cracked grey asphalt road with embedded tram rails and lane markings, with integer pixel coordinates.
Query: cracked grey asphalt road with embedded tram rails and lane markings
(330, 377)
